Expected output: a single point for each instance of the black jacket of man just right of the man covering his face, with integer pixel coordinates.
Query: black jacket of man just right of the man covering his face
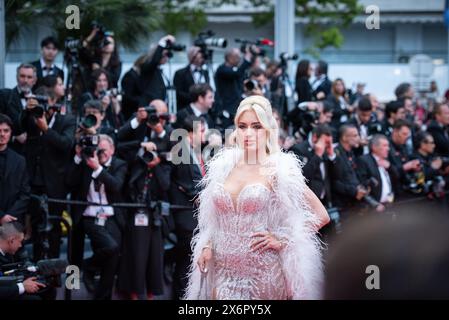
(344, 178)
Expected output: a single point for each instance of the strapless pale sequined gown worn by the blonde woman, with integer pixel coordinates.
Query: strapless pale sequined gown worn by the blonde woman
(240, 273)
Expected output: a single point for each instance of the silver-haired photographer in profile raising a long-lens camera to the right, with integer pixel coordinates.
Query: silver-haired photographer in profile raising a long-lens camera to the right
(152, 77)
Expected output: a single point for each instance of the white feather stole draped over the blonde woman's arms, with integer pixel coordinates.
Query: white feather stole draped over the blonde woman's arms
(290, 218)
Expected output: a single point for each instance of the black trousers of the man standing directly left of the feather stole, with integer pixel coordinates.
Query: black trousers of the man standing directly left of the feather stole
(183, 253)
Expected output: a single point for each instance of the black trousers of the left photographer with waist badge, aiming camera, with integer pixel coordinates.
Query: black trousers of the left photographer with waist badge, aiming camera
(105, 241)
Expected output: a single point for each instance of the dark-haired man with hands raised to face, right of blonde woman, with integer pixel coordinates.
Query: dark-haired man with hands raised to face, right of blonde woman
(318, 156)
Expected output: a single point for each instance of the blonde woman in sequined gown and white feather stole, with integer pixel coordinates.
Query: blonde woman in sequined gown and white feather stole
(257, 219)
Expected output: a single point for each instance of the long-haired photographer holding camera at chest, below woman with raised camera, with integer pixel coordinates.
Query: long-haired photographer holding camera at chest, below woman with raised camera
(110, 104)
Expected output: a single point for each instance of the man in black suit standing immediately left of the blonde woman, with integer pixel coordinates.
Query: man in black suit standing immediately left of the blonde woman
(187, 170)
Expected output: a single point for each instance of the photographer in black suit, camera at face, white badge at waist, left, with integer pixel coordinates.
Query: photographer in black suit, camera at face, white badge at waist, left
(95, 175)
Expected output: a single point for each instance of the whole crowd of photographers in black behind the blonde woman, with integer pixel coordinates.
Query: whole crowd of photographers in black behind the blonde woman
(100, 146)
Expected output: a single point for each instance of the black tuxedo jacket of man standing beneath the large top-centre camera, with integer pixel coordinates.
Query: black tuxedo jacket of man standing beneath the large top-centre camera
(182, 81)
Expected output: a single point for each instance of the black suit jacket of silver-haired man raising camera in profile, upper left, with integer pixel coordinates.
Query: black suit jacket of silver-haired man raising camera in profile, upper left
(152, 78)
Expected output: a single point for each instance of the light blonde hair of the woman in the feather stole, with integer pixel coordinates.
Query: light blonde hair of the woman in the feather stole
(262, 108)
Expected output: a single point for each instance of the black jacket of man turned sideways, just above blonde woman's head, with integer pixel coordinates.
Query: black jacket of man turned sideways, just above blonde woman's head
(229, 84)
